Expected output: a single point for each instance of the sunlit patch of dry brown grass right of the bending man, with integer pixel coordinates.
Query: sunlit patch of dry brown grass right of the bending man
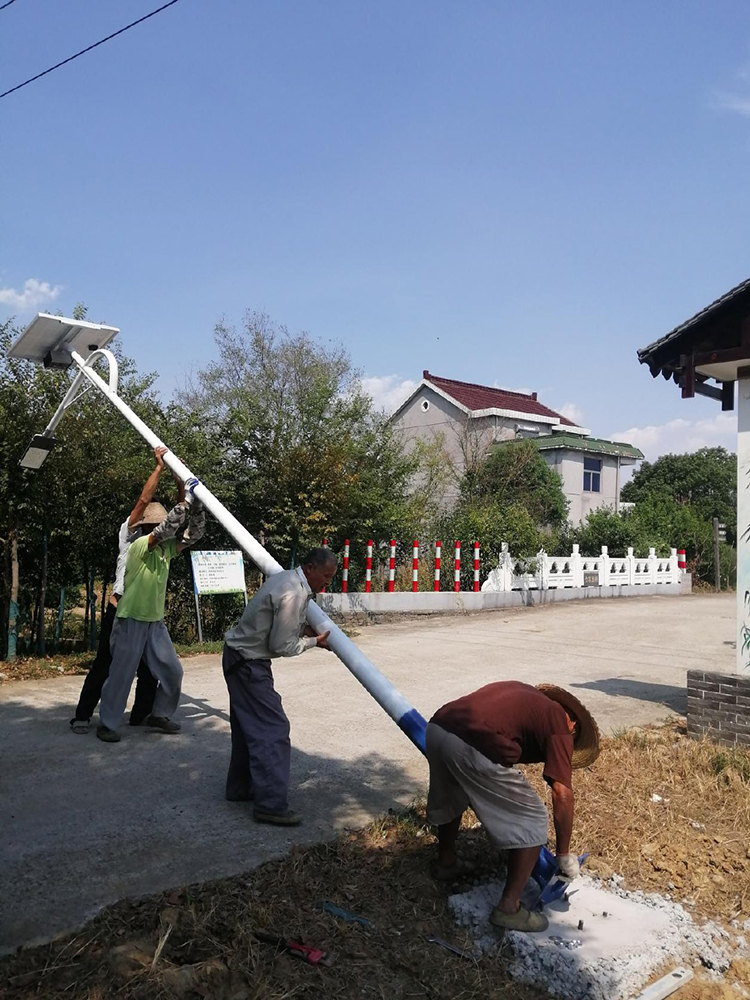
(695, 842)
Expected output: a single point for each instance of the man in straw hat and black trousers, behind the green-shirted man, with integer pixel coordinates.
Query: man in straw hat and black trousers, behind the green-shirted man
(143, 517)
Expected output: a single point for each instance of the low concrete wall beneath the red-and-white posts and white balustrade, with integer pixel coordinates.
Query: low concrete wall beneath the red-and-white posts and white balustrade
(446, 602)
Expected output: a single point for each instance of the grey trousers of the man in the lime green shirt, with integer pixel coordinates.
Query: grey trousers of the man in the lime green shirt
(131, 641)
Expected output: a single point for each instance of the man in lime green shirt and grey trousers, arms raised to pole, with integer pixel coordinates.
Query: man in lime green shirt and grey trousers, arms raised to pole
(139, 631)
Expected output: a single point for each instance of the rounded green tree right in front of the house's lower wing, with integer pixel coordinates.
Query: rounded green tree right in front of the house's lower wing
(514, 473)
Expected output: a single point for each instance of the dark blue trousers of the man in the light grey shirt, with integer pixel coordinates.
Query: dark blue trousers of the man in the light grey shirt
(261, 749)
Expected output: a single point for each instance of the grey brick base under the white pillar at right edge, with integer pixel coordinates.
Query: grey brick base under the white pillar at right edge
(719, 707)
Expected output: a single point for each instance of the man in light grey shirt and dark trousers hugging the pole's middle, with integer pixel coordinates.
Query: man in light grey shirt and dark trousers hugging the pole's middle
(272, 624)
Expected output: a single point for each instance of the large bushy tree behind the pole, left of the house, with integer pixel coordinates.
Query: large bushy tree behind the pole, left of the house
(297, 442)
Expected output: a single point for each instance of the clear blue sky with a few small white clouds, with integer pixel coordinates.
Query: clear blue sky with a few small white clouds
(519, 194)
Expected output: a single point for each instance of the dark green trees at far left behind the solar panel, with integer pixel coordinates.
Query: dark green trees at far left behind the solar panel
(74, 504)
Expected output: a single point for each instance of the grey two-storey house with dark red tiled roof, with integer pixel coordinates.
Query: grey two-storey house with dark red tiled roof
(469, 419)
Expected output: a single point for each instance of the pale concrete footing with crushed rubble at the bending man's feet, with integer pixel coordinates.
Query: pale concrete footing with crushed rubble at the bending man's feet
(612, 956)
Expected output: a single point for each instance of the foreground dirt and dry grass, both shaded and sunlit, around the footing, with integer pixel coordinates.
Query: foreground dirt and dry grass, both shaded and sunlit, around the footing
(693, 842)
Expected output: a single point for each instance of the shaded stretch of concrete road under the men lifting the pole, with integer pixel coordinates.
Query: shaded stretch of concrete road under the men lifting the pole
(86, 823)
